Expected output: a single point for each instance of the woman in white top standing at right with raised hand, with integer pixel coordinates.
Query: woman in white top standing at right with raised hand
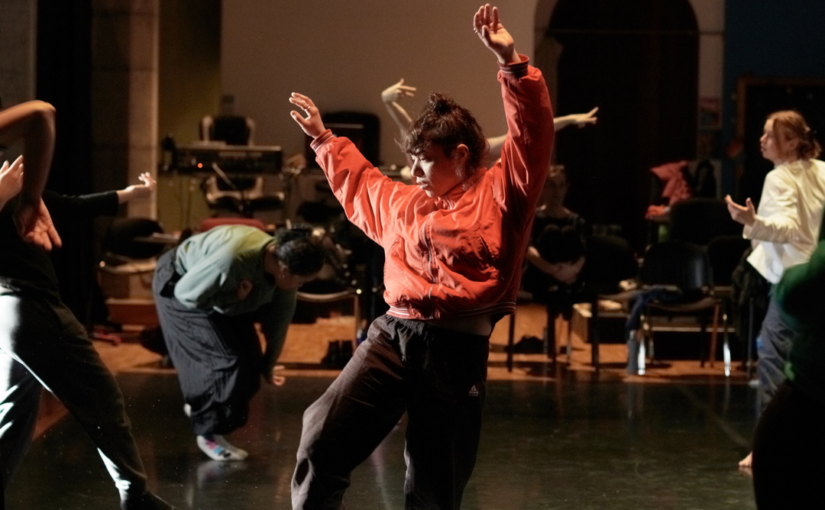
(784, 230)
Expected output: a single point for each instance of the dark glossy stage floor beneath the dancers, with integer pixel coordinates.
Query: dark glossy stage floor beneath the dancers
(567, 442)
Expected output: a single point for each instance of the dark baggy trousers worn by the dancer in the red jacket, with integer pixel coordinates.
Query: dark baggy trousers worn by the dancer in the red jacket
(437, 376)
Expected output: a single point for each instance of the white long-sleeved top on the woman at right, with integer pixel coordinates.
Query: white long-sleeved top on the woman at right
(788, 219)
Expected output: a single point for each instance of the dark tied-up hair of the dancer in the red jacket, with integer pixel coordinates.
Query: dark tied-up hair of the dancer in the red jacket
(446, 124)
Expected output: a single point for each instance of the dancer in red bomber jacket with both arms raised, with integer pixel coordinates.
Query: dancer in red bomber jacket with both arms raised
(454, 246)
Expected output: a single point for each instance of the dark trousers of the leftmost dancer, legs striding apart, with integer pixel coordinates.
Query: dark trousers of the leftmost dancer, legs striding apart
(43, 344)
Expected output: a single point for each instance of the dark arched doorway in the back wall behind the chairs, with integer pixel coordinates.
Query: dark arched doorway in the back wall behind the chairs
(637, 60)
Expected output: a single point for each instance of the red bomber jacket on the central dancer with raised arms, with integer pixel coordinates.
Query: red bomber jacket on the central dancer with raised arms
(460, 254)
